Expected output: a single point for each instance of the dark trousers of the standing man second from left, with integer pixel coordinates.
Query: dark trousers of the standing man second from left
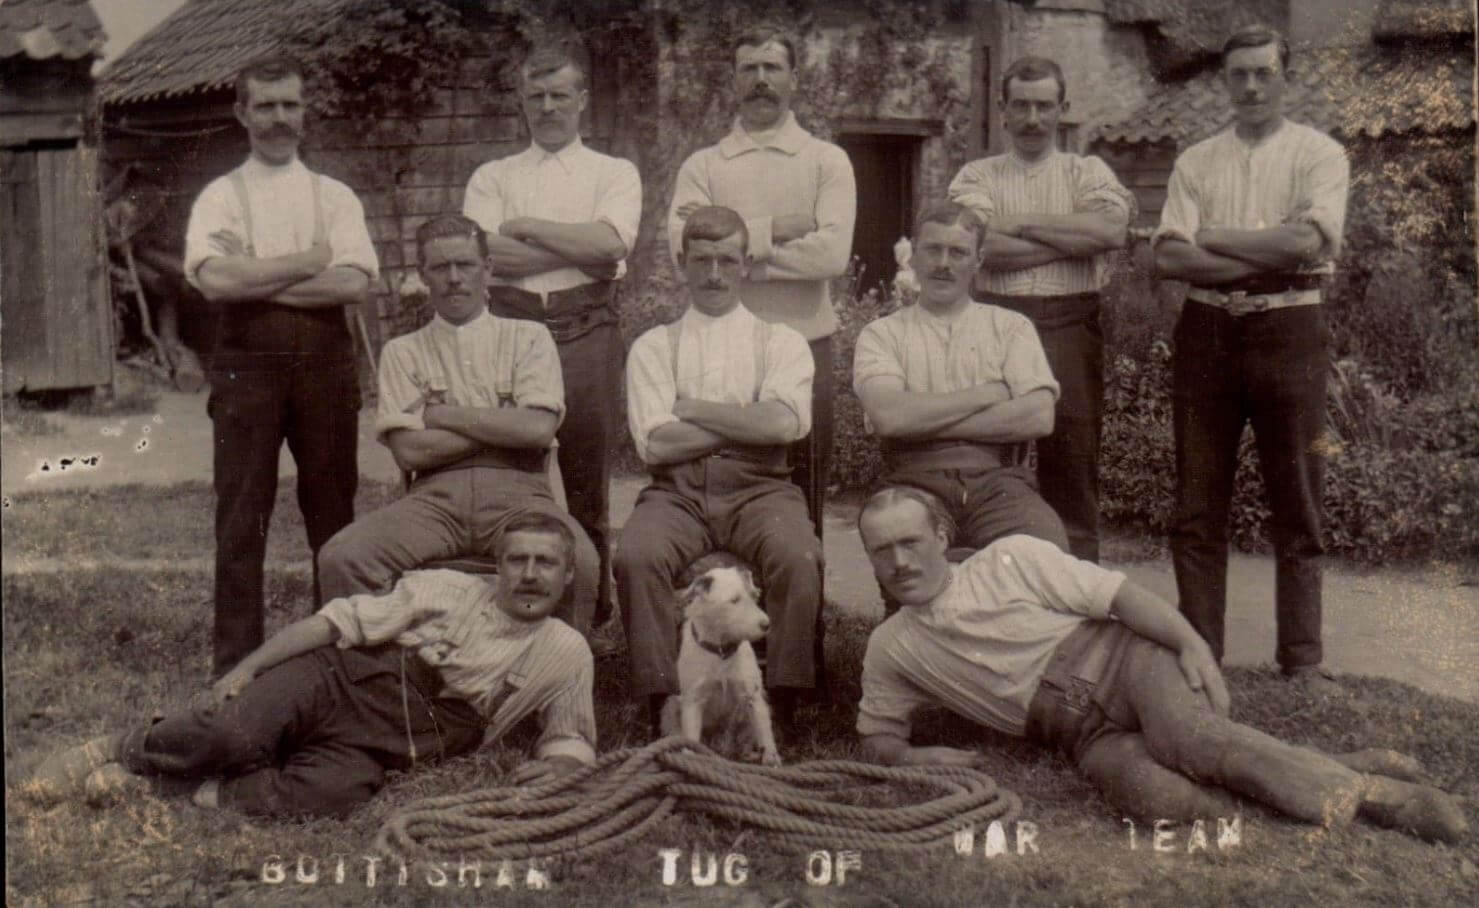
(591, 357)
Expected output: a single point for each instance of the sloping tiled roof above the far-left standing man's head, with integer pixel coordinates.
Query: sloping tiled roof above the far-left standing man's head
(203, 45)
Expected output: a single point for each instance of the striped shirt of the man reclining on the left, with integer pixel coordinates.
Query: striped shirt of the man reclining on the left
(505, 668)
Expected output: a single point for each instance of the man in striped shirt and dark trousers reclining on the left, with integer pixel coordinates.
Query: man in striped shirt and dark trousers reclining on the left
(311, 721)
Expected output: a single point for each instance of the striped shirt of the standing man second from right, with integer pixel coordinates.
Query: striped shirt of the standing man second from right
(1060, 184)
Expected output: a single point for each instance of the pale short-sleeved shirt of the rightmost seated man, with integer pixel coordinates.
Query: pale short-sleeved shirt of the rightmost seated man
(930, 354)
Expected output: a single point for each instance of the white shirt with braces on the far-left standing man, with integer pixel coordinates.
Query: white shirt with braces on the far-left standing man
(283, 220)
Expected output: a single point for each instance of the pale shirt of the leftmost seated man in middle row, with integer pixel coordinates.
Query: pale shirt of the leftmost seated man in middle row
(487, 363)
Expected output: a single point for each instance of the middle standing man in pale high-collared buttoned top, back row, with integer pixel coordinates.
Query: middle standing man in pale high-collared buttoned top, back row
(799, 203)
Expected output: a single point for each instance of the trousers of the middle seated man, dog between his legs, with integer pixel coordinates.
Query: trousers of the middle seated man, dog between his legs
(693, 509)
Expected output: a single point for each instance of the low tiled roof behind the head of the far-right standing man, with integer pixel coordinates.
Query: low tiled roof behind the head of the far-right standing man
(1345, 91)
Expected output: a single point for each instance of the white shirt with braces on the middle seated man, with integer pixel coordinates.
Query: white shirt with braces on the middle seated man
(717, 362)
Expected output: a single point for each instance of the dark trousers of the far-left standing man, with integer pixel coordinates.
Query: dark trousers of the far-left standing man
(313, 403)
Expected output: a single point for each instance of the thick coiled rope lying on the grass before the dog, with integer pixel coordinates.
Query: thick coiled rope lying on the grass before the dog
(626, 793)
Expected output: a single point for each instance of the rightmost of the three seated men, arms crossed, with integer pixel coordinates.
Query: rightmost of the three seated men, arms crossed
(952, 387)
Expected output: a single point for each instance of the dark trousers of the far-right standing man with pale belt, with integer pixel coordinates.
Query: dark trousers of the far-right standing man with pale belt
(1270, 370)
